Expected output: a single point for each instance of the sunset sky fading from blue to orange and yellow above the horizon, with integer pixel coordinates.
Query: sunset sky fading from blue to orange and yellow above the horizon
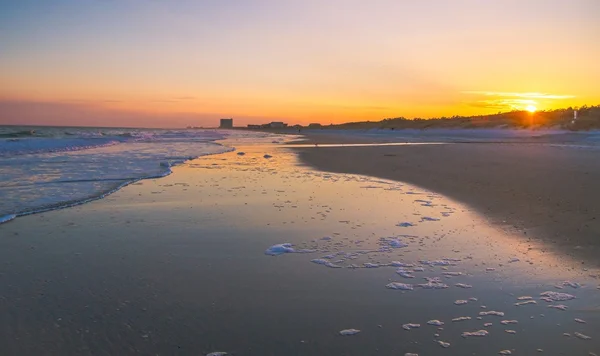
(174, 63)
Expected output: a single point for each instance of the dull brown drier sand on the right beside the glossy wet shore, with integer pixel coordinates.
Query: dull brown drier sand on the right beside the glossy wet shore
(545, 191)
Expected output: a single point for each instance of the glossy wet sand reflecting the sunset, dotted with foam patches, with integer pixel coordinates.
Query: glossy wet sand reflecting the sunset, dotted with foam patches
(178, 266)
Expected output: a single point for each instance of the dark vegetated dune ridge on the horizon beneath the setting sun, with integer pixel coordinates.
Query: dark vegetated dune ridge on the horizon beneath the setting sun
(588, 118)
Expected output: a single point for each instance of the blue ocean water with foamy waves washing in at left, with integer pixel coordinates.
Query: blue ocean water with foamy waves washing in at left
(45, 168)
